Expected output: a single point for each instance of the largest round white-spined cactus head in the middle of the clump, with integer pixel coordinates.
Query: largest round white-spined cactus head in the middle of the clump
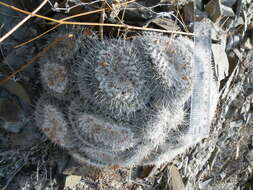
(117, 74)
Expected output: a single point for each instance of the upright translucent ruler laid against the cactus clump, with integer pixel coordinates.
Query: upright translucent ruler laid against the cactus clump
(201, 113)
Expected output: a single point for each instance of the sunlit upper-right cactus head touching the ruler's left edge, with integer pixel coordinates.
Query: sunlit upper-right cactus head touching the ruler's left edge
(172, 62)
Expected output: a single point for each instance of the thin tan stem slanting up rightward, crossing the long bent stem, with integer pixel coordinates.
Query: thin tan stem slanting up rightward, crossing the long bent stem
(67, 18)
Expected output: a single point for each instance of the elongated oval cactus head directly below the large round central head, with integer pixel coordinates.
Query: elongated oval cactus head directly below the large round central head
(96, 132)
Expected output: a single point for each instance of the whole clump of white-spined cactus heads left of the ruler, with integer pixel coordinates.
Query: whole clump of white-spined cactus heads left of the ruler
(129, 99)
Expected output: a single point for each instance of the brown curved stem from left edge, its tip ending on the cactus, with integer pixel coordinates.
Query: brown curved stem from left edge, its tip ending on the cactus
(43, 52)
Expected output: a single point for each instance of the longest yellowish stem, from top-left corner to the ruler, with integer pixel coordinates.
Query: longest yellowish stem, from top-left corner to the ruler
(97, 24)
